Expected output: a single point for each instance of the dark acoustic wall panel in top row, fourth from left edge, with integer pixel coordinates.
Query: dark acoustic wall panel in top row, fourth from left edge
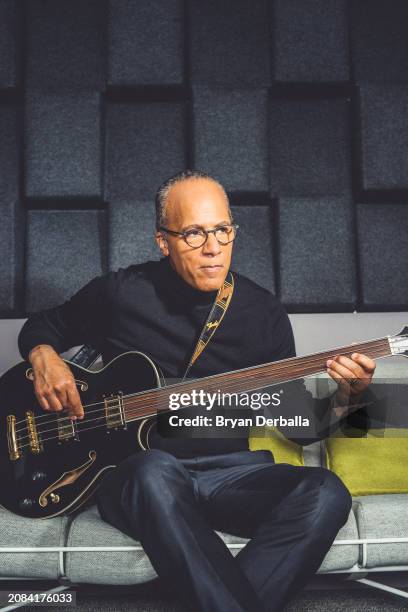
(230, 42)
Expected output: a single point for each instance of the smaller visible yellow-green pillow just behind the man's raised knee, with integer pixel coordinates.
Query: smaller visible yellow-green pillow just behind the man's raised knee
(270, 438)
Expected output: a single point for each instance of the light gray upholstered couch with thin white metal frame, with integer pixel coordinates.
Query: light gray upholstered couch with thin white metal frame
(84, 549)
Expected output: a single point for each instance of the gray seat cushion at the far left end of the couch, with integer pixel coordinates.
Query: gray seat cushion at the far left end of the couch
(17, 531)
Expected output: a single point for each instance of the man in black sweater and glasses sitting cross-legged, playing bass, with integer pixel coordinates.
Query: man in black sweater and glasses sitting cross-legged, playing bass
(175, 495)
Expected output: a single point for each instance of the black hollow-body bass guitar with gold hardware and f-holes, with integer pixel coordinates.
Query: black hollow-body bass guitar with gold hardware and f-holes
(51, 465)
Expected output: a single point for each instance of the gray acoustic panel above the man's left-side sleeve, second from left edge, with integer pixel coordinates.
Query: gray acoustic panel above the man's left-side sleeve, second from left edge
(74, 241)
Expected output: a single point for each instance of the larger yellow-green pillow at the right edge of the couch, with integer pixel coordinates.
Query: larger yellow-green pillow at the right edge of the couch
(372, 465)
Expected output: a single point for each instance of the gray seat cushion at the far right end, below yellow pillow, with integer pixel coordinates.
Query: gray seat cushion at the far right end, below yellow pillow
(383, 516)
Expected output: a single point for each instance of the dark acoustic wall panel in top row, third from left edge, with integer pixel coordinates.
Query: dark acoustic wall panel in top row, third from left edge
(146, 42)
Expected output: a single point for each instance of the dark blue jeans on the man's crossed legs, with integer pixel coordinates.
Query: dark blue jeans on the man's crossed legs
(172, 506)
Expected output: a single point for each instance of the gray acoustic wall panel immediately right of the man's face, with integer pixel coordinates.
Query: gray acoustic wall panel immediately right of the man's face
(253, 253)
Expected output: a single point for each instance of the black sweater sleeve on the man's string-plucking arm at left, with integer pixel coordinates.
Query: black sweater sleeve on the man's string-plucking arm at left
(80, 320)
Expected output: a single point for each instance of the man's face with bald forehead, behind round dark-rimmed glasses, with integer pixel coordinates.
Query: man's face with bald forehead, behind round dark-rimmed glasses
(190, 204)
